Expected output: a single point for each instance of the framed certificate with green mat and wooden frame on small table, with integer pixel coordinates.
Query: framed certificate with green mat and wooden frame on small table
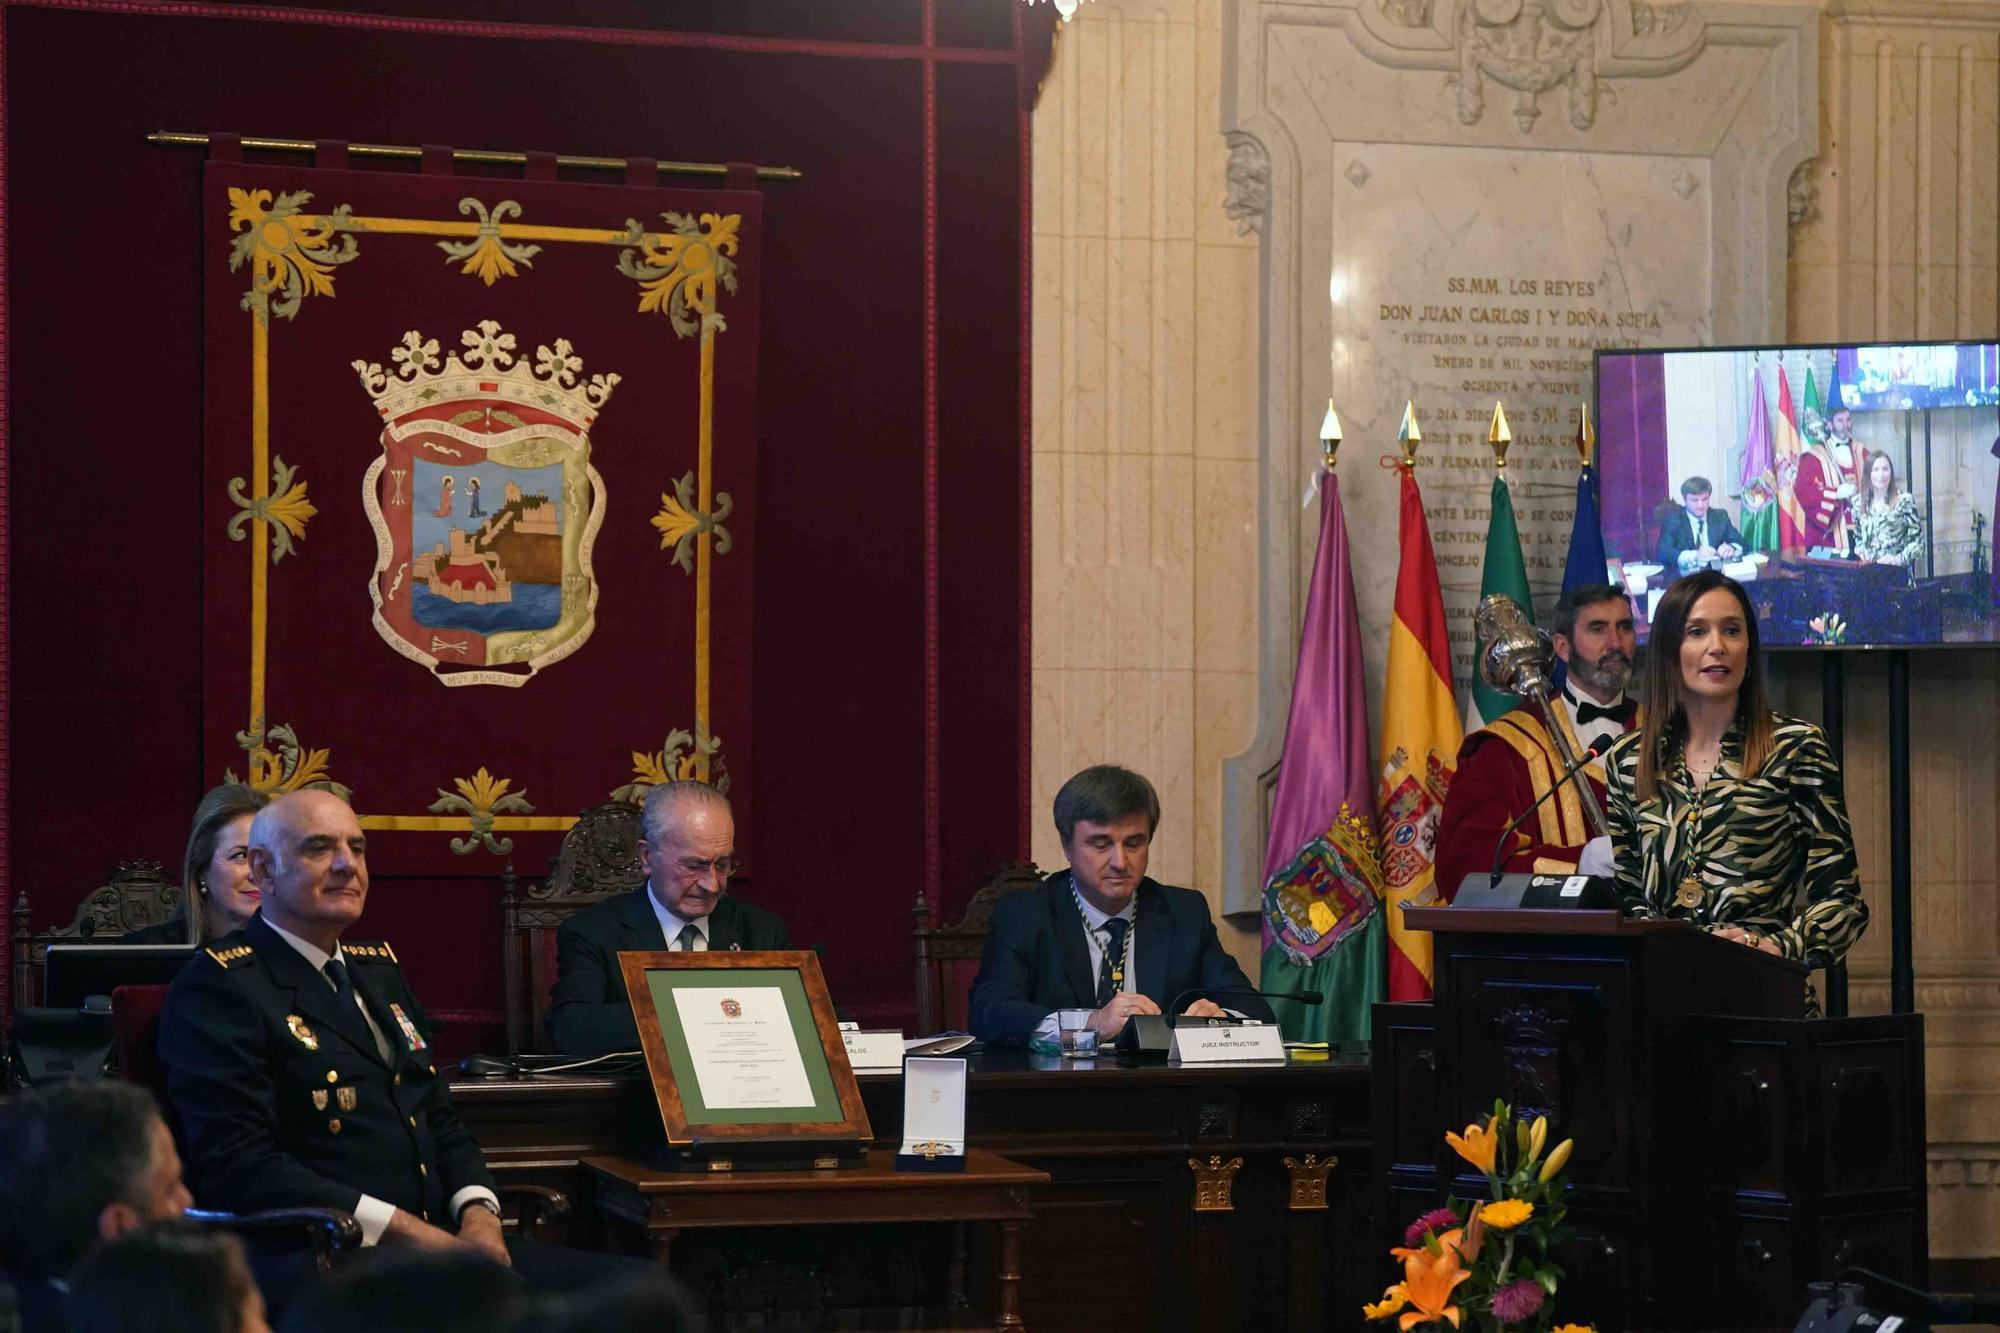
(747, 1062)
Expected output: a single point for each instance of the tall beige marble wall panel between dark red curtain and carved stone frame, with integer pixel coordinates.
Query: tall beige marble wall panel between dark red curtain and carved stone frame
(1145, 425)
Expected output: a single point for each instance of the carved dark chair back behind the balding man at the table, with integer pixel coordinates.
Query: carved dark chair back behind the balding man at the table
(599, 860)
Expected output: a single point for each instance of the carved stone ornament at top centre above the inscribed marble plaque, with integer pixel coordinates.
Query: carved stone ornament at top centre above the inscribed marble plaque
(1537, 47)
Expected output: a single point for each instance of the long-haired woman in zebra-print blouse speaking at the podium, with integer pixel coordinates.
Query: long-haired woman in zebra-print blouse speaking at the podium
(1721, 812)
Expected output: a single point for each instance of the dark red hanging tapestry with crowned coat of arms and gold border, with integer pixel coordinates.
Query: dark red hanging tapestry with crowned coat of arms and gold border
(479, 497)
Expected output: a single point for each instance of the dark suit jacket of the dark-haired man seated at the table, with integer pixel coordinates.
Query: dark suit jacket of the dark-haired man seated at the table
(1037, 960)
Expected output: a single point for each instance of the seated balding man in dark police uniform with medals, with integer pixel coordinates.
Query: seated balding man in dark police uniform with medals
(301, 1070)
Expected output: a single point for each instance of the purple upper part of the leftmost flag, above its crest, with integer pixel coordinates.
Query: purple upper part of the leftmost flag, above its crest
(1327, 738)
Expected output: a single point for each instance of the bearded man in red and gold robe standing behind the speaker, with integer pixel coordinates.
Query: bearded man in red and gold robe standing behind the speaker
(1511, 764)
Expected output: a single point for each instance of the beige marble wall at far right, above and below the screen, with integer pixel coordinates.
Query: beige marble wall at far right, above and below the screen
(1897, 239)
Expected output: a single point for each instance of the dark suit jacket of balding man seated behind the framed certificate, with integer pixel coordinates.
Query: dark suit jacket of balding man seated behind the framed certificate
(589, 1012)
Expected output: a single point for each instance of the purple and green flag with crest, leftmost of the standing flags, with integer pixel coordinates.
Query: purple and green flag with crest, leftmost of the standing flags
(1323, 882)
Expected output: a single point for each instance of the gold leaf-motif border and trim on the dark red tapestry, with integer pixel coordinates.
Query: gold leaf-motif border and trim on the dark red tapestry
(295, 255)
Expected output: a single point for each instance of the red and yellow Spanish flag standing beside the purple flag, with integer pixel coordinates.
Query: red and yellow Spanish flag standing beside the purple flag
(1421, 738)
